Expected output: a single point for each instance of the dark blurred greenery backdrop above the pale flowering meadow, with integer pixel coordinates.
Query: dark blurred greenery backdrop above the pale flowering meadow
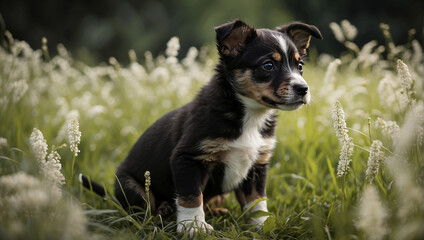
(95, 30)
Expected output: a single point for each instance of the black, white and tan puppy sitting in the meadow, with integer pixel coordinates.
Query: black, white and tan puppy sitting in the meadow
(222, 140)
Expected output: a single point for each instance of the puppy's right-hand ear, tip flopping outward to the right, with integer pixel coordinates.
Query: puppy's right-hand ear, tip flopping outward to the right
(301, 34)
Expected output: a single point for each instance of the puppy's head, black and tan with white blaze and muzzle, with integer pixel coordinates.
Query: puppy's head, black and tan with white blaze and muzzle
(265, 66)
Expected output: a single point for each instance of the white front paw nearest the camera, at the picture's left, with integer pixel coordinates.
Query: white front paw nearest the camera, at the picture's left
(192, 220)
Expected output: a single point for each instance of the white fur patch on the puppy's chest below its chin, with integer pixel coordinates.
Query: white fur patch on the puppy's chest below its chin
(243, 152)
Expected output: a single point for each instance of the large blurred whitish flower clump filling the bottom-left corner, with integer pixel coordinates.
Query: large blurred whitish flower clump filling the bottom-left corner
(26, 203)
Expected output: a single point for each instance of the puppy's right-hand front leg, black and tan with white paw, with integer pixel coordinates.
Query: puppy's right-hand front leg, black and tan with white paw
(252, 189)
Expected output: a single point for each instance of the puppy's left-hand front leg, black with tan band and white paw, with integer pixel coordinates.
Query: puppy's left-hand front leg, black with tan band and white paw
(188, 175)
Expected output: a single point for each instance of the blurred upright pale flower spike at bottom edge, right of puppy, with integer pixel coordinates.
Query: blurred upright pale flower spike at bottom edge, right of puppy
(372, 215)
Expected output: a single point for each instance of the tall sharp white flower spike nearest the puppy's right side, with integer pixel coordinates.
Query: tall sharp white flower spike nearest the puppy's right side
(346, 152)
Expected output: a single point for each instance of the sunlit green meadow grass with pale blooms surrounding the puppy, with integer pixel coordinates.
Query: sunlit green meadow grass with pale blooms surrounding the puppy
(114, 104)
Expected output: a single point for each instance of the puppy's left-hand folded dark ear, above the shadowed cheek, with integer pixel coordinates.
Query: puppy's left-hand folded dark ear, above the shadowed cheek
(231, 38)
